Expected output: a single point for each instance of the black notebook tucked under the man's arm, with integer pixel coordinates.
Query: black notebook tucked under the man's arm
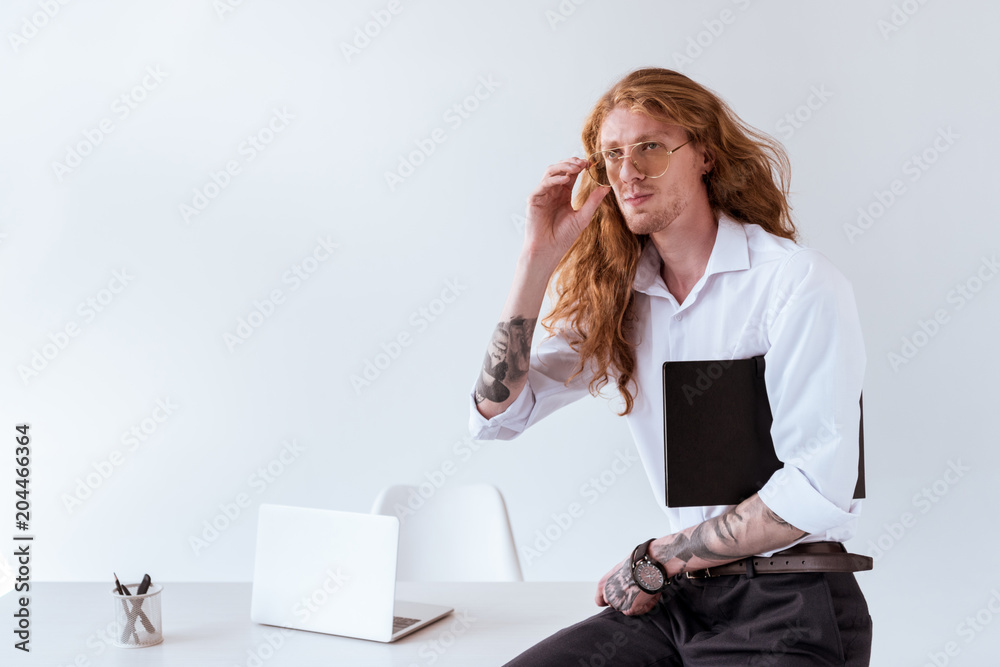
(717, 432)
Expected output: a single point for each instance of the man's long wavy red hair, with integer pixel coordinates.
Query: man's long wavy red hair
(593, 294)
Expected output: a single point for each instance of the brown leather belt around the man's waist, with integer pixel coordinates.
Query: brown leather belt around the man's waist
(807, 557)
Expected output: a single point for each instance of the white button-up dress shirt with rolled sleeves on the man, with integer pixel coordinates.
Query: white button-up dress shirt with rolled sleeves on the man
(760, 294)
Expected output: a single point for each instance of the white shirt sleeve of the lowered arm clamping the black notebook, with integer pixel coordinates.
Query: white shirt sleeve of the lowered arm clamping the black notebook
(814, 370)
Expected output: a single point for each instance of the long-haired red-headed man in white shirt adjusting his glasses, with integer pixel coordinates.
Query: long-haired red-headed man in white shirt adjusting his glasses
(681, 248)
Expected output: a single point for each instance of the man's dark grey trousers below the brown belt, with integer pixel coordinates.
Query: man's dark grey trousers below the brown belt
(789, 620)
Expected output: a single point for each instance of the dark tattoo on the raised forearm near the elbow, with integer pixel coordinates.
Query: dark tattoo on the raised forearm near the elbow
(507, 359)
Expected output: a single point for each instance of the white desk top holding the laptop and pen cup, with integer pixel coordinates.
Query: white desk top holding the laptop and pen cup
(209, 624)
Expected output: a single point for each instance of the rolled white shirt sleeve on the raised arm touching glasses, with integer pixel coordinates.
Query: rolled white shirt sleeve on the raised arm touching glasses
(552, 362)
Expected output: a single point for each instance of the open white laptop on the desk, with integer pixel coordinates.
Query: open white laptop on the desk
(332, 572)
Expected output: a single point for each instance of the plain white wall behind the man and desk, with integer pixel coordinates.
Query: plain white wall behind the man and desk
(894, 77)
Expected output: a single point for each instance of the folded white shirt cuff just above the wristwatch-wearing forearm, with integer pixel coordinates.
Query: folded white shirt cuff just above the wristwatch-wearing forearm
(790, 495)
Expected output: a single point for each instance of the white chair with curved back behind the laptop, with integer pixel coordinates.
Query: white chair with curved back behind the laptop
(455, 533)
